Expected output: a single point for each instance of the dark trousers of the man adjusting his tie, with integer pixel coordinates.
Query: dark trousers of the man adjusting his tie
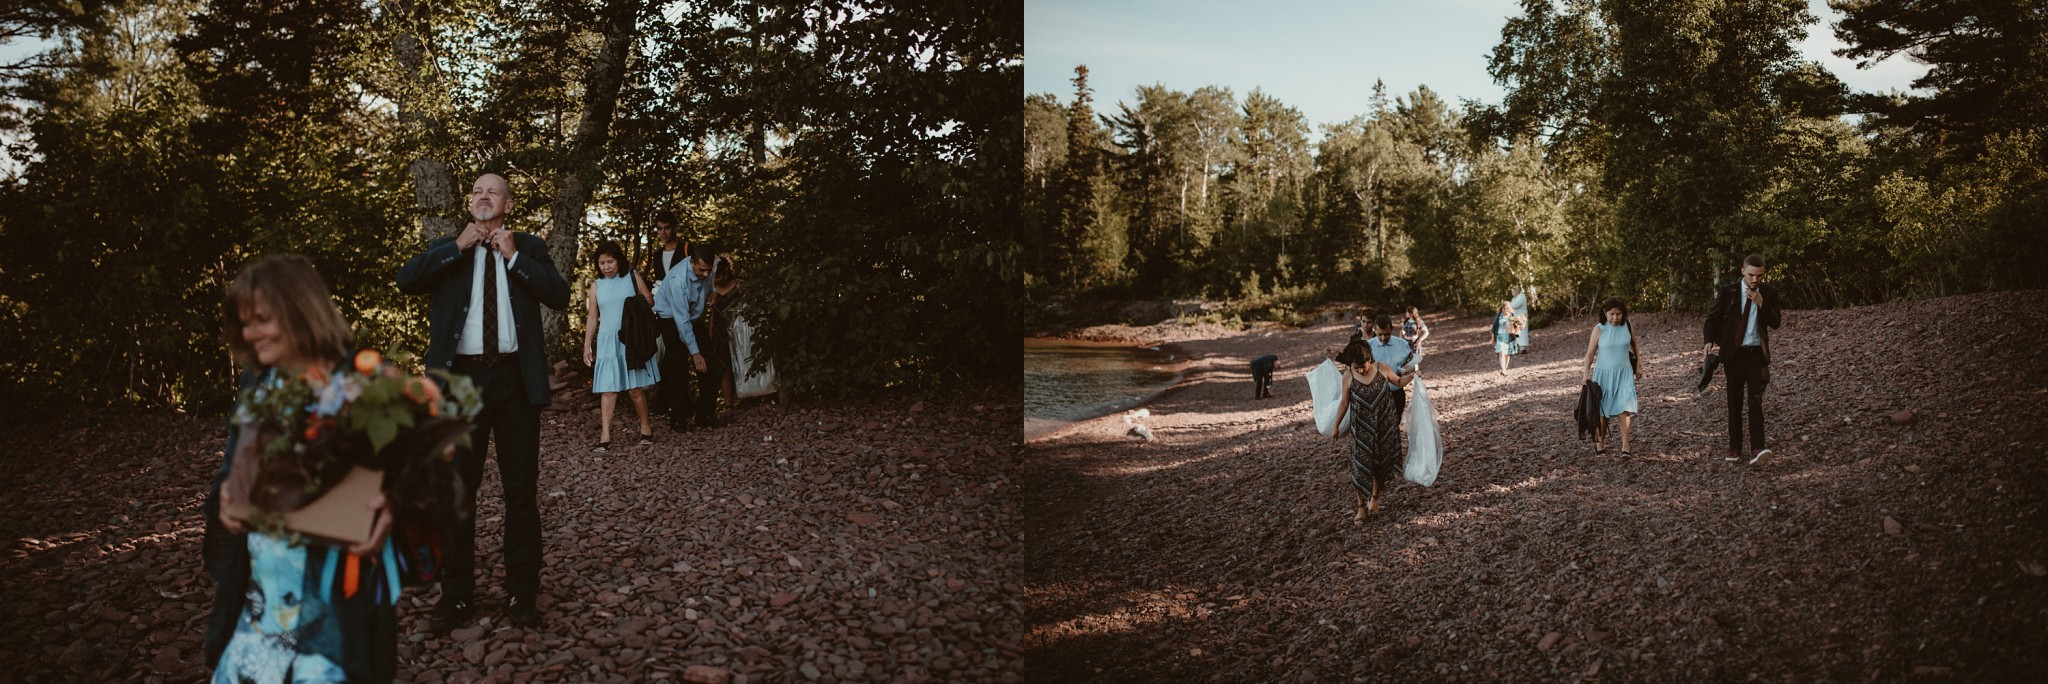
(513, 425)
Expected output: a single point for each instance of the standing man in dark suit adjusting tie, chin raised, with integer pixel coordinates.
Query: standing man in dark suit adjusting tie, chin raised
(488, 286)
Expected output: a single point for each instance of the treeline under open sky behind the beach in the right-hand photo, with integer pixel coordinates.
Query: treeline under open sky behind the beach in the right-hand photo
(1641, 151)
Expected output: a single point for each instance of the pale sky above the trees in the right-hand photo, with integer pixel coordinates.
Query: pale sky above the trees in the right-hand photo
(1318, 56)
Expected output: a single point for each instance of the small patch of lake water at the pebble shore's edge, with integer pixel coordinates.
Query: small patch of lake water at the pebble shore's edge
(1066, 382)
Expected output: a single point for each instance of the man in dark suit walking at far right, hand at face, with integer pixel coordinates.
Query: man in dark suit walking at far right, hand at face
(1740, 331)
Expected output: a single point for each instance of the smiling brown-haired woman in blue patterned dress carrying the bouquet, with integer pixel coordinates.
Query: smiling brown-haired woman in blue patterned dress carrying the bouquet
(284, 607)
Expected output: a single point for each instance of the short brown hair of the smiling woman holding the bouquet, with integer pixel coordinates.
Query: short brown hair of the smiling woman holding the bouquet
(300, 302)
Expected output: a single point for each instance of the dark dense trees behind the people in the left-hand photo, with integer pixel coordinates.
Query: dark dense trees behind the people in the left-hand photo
(861, 161)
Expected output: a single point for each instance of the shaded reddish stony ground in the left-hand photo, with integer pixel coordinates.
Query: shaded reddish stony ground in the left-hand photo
(798, 544)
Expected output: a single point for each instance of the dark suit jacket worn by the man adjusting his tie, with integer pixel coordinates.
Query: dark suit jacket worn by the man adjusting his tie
(445, 273)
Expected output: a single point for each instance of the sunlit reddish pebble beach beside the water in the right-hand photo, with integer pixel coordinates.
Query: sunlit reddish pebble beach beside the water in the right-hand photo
(1902, 533)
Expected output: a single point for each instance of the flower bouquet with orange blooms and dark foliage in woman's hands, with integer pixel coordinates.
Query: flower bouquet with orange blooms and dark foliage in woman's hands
(316, 450)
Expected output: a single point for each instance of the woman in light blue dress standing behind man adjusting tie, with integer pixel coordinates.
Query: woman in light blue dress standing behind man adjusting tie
(603, 349)
